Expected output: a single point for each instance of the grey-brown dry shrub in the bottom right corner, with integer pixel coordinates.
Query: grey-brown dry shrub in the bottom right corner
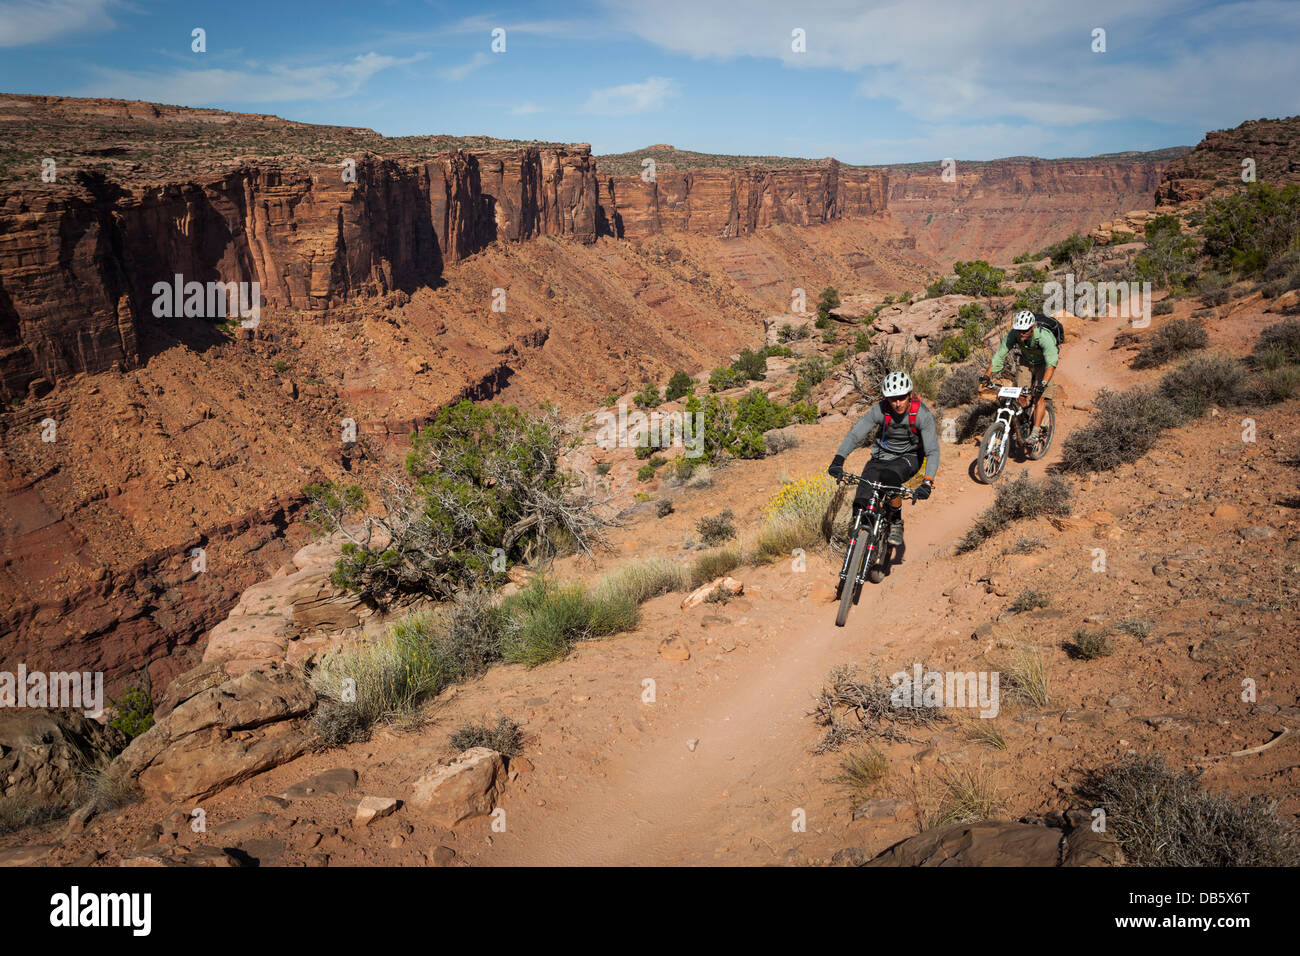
(1167, 819)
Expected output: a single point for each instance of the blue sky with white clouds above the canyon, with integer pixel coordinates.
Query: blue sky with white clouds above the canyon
(877, 83)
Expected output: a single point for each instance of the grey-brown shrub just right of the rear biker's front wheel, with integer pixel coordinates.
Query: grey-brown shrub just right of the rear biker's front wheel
(1124, 427)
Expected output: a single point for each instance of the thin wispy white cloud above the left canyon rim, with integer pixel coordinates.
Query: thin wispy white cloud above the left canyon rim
(272, 84)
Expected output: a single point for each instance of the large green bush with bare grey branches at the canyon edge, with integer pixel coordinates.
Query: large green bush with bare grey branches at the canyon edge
(480, 478)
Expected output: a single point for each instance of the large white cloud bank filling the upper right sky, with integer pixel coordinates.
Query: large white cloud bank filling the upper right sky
(1017, 60)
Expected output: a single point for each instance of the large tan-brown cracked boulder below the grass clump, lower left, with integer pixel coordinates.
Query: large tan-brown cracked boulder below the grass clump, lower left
(223, 736)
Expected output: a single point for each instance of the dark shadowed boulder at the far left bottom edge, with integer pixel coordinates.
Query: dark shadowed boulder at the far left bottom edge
(45, 752)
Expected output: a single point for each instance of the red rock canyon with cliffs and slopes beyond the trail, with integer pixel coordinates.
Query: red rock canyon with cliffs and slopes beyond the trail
(382, 265)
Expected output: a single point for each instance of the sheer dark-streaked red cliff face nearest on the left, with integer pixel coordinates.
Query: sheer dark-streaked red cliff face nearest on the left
(79, 262)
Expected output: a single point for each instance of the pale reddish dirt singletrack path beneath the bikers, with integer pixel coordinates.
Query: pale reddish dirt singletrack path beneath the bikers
(660, 803)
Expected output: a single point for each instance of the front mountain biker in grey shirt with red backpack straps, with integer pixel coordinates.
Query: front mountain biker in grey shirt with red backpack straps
(900, 430)
